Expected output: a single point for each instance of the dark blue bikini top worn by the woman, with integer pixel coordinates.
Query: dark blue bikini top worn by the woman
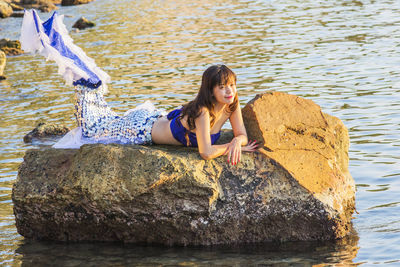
(179, 132)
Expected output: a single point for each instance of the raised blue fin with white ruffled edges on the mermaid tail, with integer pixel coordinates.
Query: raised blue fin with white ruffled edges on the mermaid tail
(51, 40)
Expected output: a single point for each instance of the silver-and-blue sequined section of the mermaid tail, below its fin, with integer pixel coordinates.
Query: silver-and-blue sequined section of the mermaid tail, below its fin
(100, 124)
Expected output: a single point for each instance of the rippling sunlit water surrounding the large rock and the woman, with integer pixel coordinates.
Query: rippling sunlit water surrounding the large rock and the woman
(344, 55)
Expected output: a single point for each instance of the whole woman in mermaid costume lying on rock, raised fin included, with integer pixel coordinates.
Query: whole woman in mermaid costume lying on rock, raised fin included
(197, 124)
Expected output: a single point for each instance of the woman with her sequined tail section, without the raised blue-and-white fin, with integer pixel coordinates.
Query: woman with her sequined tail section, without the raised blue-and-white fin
(197, 124)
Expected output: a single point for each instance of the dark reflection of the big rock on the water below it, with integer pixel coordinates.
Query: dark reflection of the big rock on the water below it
(341, 252)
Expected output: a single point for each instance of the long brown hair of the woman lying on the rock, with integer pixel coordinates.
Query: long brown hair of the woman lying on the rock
(212, 76)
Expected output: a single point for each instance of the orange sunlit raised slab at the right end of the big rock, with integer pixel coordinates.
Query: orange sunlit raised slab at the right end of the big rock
(311, 145)
